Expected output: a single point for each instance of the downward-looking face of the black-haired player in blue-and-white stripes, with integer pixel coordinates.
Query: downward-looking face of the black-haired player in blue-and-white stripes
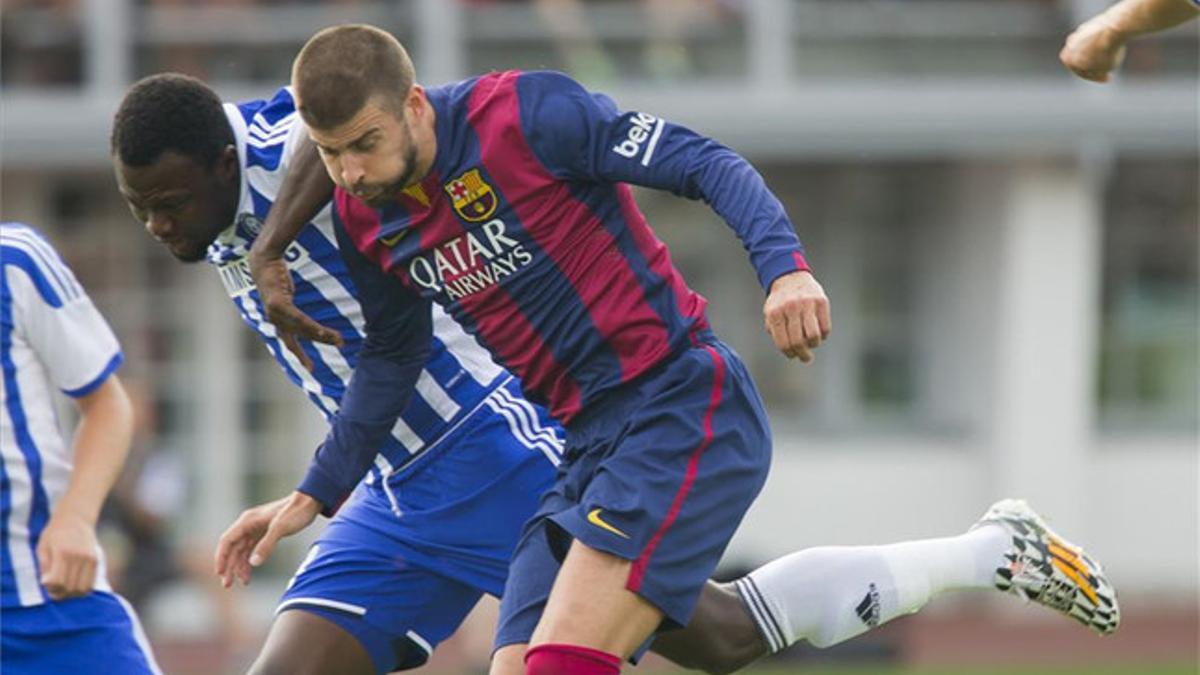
(182, 204)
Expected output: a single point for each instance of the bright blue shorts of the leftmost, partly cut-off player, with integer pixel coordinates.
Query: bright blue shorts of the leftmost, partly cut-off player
(98, 634)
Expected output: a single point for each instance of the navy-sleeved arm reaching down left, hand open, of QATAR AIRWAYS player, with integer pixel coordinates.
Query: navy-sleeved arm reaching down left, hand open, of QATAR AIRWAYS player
(399, 333)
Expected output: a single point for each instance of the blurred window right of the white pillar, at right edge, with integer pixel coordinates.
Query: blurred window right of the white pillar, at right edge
(1149, 332)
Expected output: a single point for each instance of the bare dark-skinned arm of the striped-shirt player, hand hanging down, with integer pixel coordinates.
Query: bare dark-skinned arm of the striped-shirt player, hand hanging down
(305, 192)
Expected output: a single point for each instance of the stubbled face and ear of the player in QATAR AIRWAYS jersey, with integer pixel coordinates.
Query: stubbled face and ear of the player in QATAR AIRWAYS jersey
(375, 156)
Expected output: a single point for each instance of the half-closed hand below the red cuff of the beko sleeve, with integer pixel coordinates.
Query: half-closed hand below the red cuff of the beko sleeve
(797, 315)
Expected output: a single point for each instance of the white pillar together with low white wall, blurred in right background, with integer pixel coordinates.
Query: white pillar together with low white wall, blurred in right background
(1018, 298)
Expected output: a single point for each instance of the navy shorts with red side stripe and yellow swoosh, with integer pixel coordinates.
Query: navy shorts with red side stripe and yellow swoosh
(662, 475)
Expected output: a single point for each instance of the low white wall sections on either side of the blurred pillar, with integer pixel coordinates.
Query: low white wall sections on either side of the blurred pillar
(1137, 513)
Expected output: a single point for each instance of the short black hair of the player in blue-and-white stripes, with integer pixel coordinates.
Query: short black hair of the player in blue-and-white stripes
(170, 112)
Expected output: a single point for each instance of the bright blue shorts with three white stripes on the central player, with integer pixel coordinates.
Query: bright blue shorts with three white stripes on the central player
(401, 565)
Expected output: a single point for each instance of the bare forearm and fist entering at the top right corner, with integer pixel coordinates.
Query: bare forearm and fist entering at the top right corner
(1097, 47)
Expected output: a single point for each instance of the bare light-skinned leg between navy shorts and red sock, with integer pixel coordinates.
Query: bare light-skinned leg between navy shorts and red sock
(591, 607)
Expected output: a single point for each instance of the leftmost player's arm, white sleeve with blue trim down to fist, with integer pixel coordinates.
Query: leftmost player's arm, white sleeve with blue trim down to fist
(81, 355)
